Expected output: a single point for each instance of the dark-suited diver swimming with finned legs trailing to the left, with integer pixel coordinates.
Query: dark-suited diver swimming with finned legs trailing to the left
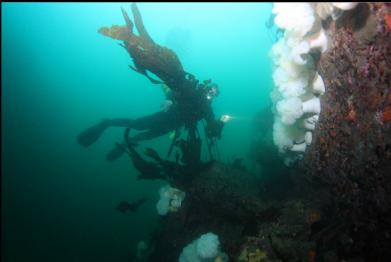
(191, 107)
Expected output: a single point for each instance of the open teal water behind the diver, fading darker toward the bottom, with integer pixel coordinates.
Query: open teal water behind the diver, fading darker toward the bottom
(60, 76)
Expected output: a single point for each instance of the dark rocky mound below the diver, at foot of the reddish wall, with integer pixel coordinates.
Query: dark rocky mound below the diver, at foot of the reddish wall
(252, 215)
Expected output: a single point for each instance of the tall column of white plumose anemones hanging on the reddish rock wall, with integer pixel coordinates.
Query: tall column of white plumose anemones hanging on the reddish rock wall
(298, 87)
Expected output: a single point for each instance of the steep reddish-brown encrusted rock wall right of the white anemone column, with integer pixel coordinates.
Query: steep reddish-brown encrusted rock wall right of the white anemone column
(351, 150)
